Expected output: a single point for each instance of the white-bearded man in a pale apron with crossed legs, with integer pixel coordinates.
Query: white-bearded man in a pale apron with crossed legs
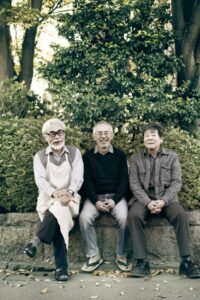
(58, 171)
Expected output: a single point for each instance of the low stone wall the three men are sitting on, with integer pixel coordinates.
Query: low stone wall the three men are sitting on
(16, 229)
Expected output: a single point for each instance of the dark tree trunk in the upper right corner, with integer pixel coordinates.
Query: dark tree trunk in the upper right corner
(186, 26)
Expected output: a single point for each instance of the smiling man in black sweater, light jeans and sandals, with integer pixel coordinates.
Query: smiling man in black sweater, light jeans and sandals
(105, 185)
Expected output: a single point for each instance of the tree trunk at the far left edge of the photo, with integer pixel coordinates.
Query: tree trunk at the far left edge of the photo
(6, 62)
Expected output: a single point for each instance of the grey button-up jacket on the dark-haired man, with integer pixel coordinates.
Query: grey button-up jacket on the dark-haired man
(167, 176)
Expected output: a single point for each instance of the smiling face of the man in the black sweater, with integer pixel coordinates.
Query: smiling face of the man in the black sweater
(103, 137)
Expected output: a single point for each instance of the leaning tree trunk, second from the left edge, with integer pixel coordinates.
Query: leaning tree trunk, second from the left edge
(28, 49)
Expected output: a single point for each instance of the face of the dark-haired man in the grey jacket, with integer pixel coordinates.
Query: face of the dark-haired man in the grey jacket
(152, 141)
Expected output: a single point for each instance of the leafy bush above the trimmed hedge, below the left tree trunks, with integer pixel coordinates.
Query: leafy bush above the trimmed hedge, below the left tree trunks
(18, 101)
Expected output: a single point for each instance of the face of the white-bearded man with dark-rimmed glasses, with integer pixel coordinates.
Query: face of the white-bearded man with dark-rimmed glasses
(55, 137)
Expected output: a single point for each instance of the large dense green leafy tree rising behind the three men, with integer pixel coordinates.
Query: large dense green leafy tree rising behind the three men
(118, 65)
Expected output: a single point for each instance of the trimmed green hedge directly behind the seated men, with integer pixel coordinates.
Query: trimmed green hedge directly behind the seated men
(20, 139)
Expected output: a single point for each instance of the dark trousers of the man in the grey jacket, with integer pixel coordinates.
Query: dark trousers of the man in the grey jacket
(175, 215)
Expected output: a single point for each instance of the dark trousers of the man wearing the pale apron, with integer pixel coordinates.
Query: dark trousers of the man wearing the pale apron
(49, 231)
